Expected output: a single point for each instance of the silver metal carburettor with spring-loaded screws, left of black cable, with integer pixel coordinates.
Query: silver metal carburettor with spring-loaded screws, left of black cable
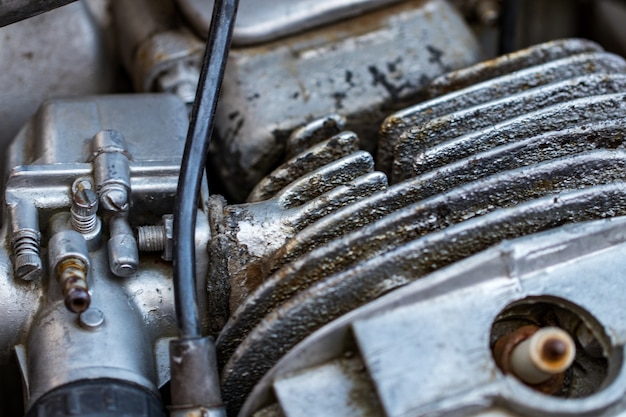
(83, 305)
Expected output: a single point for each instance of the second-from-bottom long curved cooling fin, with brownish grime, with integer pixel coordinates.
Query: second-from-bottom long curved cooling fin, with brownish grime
(427, 216)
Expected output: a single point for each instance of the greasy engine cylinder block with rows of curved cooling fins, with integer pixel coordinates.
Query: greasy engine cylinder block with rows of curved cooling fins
(522, 144)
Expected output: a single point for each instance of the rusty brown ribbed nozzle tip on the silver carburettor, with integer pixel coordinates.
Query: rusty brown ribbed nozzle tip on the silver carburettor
(72, 273)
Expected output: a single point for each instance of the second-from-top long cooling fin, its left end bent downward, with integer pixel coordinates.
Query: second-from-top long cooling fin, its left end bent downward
(517, 84)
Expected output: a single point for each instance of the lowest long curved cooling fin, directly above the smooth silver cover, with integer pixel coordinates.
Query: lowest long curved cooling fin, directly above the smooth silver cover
(337, 294)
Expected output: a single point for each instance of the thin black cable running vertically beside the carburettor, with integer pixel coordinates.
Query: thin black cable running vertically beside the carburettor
(193, 163)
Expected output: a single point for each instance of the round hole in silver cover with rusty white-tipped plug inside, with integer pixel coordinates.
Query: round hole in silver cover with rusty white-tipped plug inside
(516, 325)
